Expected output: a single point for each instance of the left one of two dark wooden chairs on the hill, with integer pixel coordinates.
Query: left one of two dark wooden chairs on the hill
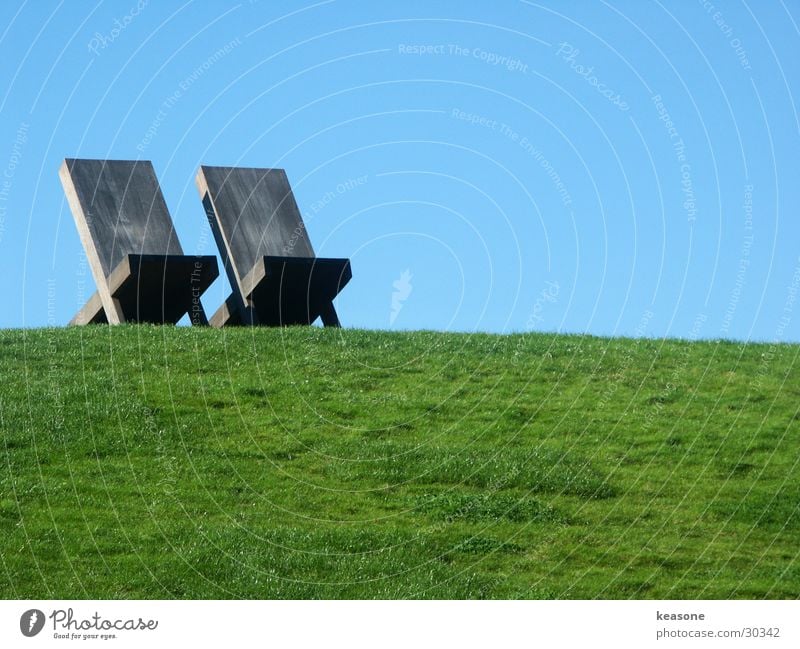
(136, 259)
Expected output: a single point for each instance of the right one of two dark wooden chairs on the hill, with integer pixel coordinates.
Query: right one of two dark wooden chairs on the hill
(277, 279)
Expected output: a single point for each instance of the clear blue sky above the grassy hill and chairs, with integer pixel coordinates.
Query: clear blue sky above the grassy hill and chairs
(513, 157)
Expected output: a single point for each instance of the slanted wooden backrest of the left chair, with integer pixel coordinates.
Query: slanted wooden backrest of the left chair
(119, 210)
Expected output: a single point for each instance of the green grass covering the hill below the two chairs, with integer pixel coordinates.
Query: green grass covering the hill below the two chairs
(160, 462)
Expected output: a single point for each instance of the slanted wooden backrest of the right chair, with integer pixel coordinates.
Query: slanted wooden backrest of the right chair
(255, 213)
